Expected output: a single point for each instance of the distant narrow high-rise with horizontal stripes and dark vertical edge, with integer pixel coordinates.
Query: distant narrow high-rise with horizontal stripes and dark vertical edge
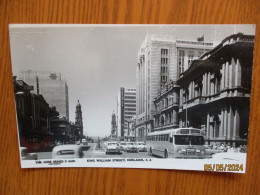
(126, 109)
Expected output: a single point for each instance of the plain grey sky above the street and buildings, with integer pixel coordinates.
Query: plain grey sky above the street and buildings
(96, 60)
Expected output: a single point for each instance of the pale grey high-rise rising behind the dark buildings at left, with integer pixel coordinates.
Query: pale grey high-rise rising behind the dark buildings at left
(51, 87)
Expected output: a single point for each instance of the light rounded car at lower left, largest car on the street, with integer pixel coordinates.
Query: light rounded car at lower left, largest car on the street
(67, 151)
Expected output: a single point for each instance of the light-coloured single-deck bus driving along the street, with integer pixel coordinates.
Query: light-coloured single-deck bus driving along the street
(177, 143)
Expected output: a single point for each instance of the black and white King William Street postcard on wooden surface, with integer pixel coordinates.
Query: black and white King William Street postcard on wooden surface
(133, 96)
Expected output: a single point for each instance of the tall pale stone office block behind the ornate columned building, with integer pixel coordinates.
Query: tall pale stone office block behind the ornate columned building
(161, 59)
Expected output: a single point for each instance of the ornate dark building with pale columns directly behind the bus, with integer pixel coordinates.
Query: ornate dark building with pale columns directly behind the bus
(215, 91)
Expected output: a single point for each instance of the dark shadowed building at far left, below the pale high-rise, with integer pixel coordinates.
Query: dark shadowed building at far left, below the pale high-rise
(33, 116)
